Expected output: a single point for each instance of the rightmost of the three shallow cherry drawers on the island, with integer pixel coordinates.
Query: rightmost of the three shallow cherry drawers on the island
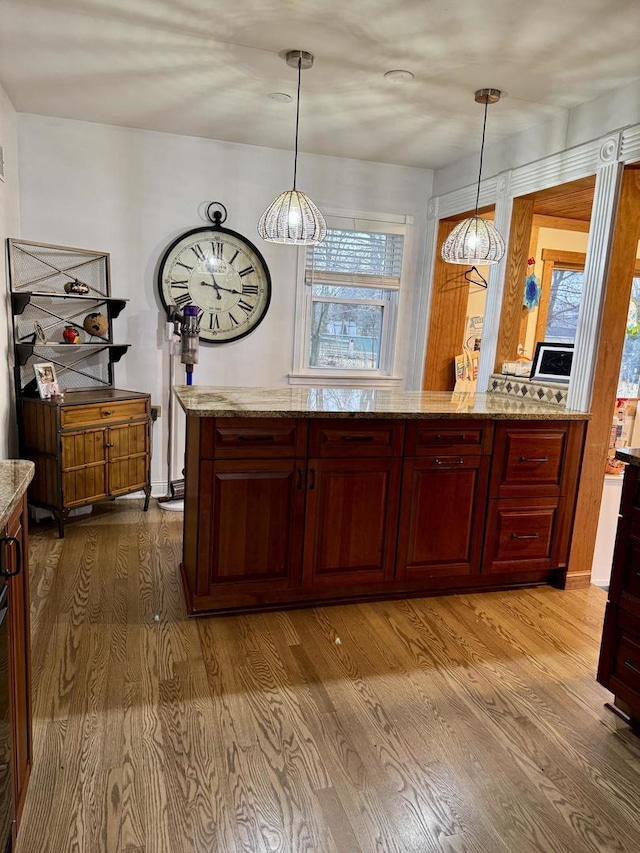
(424, 438)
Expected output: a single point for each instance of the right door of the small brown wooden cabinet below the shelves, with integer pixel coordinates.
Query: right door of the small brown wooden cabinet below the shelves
(128, 447)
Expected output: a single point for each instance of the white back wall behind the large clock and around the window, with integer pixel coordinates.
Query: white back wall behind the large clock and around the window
(131, 192)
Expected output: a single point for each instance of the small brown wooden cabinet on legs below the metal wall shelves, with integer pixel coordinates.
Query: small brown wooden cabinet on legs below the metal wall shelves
(91, 446)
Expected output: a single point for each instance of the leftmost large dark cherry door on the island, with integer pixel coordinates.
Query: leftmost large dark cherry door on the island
(250, 525)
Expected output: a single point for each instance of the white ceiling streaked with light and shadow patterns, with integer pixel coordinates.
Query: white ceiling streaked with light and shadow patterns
(206, 67)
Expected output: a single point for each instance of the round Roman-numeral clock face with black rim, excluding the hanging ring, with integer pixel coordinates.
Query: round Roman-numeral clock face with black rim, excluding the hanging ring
(223, 275)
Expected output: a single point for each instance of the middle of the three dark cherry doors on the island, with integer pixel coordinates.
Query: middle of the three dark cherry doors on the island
(351, 519)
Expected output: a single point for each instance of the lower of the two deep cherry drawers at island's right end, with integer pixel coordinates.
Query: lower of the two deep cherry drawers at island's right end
(520, 535)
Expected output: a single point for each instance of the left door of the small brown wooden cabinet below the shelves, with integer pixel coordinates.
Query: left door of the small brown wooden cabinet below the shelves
(84, 467)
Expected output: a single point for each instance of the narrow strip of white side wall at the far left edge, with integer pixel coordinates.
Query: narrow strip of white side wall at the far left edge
(9, 227)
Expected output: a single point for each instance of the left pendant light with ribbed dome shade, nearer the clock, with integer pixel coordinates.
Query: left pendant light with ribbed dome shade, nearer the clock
(293, 217)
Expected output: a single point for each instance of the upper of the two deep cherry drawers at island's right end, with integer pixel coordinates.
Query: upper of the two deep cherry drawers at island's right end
(528, 460)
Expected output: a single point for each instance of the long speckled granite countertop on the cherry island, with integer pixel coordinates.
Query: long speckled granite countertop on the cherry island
(203, 401)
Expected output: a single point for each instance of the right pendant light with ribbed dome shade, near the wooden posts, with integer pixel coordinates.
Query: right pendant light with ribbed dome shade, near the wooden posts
(476, 240)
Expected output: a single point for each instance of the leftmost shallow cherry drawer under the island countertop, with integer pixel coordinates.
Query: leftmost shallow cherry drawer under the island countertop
(252, 438)
